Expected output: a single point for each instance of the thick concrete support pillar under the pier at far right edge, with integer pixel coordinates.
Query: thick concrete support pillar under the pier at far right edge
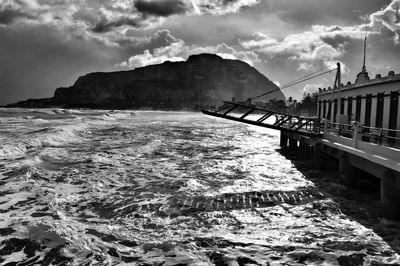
(390, 194)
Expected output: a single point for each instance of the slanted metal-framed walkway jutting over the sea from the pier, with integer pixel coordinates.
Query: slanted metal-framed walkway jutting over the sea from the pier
(299, 125)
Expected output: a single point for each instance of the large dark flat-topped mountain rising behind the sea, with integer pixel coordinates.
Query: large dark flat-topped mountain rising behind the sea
(204, 79)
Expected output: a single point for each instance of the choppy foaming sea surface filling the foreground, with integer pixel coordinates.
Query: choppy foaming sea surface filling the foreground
(173, 188)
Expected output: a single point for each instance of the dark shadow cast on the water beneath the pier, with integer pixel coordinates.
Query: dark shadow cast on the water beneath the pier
(360, 203)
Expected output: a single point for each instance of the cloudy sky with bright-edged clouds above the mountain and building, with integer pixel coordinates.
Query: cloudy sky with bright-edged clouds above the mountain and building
(46, 44)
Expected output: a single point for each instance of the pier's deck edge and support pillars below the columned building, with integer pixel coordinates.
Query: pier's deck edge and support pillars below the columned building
(353, 155)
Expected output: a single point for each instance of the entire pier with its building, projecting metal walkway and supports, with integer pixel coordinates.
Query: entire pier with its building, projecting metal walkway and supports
(357, 124)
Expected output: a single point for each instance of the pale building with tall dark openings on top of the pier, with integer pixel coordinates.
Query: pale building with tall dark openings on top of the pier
(371, 102)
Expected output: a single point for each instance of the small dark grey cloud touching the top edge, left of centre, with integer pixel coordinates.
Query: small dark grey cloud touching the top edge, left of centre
(161, 8)
